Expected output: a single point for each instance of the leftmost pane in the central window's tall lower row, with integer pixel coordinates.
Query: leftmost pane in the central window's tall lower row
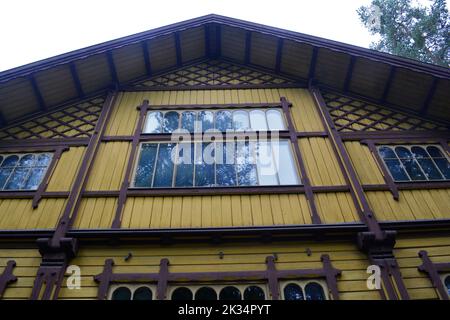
(145, 167)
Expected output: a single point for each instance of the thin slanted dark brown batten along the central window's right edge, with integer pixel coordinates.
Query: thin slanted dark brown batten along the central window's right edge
(300, 162)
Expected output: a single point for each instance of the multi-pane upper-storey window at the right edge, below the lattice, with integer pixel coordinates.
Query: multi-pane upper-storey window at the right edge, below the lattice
(415, 162)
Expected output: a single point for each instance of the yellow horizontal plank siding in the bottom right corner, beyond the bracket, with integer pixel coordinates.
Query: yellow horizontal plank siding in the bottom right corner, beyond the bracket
(406, 250)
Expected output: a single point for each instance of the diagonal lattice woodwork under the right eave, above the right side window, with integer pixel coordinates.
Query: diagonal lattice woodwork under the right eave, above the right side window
(355, 115)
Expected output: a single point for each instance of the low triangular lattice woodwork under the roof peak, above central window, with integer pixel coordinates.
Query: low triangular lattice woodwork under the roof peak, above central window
(213, 72)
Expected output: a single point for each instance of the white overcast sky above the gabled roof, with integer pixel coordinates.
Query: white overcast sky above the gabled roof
(37, 29)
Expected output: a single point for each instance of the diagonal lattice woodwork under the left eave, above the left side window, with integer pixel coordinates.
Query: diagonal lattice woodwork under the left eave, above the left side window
(75, 121)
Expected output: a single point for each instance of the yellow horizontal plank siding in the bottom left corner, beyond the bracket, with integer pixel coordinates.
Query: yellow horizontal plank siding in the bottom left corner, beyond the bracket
(27, 264)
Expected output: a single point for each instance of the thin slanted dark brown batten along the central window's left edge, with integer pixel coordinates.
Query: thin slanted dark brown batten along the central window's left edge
(131, 159)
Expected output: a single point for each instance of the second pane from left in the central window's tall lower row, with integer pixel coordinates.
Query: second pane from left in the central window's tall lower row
(164, 166)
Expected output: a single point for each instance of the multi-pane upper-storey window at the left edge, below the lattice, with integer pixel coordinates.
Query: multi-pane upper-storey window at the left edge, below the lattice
(23, 171)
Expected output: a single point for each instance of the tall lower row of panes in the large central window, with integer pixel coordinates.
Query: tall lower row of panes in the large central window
(215, 164)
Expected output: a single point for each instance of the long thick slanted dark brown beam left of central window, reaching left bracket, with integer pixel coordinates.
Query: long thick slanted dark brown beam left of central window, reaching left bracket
(69, 213)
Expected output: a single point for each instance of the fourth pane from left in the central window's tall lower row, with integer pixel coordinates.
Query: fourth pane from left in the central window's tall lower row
(204, 164)
